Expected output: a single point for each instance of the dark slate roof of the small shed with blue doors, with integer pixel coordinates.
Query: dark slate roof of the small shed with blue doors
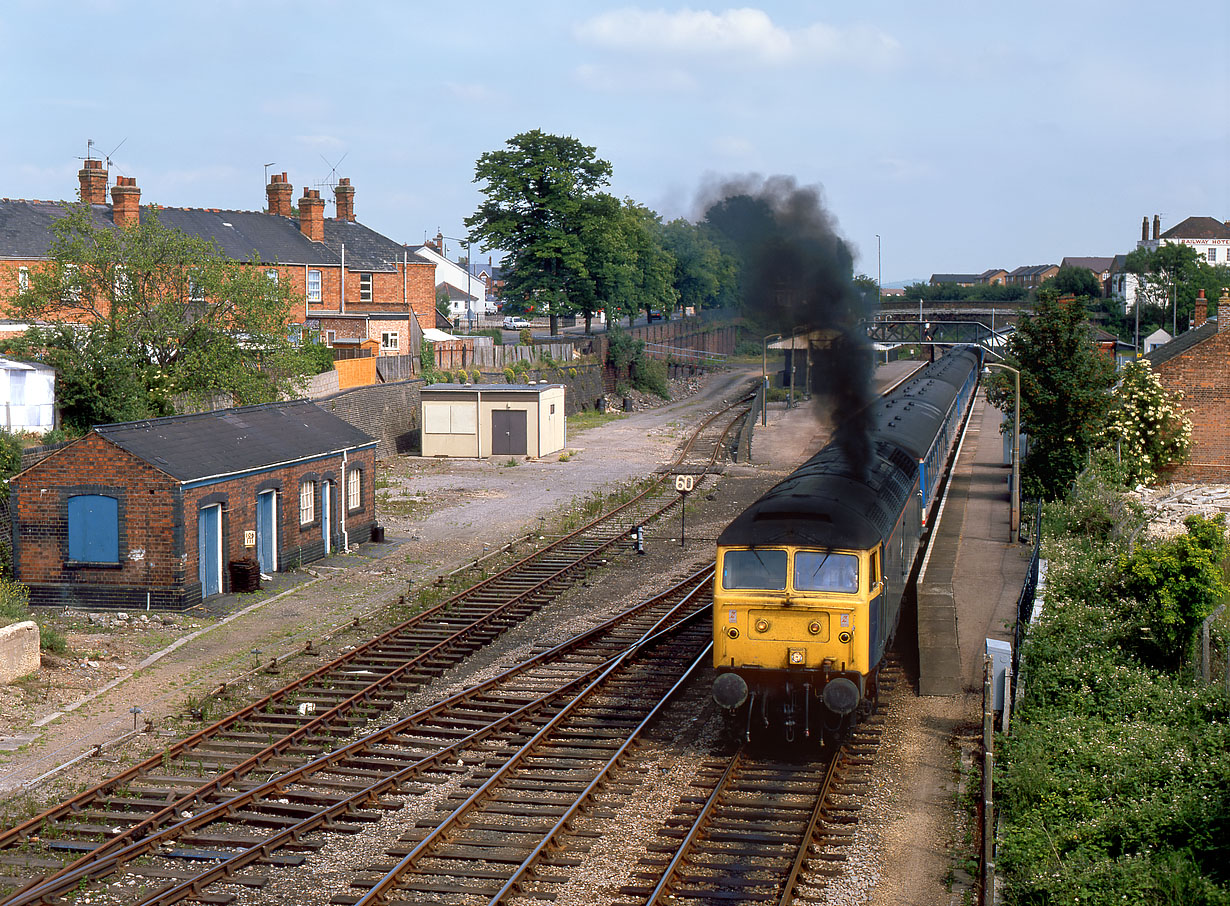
(232, 442)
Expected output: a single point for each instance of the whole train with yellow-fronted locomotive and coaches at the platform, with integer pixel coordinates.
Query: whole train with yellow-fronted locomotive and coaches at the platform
(812, 576)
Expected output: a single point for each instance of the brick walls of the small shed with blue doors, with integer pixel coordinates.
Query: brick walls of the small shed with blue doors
(158, 524)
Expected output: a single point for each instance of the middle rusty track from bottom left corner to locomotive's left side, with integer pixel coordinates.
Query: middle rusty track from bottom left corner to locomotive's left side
(277, 823)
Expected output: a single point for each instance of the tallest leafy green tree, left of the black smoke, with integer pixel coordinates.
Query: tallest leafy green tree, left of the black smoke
(542, 194)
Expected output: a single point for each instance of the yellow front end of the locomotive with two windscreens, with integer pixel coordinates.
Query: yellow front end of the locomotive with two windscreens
(793, 625)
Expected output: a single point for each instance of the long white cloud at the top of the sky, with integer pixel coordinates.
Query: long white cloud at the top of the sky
(745, 35)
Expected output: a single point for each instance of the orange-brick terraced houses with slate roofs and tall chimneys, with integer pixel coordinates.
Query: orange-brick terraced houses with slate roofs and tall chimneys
(360, 288)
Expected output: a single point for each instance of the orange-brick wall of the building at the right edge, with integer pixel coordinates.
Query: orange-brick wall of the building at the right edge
(1204, 376)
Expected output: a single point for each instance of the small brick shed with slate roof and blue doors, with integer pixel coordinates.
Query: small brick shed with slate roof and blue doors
(153, 514)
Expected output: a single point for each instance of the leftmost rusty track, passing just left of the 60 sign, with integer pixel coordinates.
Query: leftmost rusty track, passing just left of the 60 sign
(286, 731)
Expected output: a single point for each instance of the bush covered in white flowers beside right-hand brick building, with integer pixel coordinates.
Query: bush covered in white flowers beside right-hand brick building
(1147, 427)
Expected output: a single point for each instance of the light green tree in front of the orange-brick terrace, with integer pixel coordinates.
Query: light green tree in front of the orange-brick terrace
(133, 318)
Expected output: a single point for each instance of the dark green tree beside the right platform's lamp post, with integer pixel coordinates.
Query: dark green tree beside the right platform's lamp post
(1066, 383)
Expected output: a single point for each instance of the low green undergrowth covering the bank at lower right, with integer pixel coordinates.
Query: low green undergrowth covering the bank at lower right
(1115, 786)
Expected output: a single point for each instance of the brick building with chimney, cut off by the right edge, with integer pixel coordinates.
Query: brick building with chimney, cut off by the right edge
(1199, 364)
